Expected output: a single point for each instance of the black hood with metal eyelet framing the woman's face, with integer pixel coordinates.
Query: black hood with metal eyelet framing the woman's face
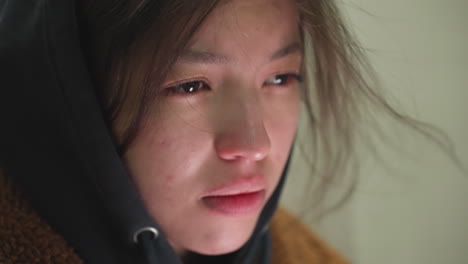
(57, 148)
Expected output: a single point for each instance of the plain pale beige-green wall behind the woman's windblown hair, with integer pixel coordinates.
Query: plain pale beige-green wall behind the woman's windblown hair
(414, 207)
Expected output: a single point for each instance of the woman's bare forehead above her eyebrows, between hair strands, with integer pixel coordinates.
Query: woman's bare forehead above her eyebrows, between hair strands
(248, 28)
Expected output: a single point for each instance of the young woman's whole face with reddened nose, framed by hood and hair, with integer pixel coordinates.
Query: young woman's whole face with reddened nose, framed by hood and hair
(219, 134)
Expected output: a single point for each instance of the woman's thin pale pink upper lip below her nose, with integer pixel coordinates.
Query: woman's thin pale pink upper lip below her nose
(239, 185)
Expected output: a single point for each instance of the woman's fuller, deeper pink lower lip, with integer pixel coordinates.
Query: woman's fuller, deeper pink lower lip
(240, 204)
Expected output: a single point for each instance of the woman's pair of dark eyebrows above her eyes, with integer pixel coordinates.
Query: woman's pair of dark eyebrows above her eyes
(203, 57)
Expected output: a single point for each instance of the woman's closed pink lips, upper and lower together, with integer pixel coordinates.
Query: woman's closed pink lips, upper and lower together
(239, 197)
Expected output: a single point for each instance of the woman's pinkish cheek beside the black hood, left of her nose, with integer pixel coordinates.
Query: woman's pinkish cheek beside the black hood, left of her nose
(163, 157)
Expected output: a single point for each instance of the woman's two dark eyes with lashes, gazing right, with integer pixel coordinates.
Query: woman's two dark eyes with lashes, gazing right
(193, 87)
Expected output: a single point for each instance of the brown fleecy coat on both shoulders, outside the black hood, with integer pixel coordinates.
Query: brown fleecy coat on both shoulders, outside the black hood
(26, 238)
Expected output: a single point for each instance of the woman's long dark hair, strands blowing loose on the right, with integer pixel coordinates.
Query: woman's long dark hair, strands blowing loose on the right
(131, 45)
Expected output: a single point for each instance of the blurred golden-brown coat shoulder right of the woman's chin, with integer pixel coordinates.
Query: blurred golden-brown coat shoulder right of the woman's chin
(293, 242)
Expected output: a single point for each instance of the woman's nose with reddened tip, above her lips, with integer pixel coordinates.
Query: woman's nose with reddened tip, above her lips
(241, 132)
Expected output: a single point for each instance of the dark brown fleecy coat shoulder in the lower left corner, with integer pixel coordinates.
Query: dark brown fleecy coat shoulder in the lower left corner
(24, 236)
